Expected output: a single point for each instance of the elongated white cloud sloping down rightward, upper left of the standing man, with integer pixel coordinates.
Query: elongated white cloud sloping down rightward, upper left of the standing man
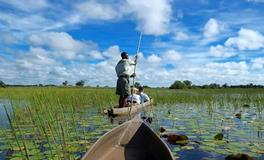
(63, 45)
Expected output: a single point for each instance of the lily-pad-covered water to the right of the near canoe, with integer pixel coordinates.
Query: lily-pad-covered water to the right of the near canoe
(200, 124)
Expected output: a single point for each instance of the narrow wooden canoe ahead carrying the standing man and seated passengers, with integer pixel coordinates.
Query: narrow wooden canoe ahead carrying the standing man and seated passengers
(128, 110)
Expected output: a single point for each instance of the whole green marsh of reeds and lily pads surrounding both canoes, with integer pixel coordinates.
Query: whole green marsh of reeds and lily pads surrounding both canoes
(62, 122)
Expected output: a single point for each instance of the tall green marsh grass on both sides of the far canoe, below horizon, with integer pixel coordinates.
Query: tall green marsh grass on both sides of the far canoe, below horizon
(62, 123)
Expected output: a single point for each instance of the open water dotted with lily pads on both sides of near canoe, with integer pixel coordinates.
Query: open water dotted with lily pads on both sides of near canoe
(199, 123)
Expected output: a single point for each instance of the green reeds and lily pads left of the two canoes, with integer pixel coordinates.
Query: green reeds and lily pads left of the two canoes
(53, 123)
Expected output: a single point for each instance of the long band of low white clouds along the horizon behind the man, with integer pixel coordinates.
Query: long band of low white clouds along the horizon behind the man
(39, 66)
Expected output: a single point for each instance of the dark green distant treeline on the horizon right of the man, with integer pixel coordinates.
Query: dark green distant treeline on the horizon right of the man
(188, 85)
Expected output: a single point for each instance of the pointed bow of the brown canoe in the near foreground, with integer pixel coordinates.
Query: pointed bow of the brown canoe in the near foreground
(132, 140)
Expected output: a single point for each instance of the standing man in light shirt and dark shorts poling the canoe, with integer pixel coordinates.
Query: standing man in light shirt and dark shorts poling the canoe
(124, 71)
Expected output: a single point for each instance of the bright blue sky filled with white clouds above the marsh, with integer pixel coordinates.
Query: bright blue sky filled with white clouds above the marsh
(205, 41)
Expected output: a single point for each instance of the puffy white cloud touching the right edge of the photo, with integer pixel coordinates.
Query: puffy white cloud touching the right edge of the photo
(247, 40)
